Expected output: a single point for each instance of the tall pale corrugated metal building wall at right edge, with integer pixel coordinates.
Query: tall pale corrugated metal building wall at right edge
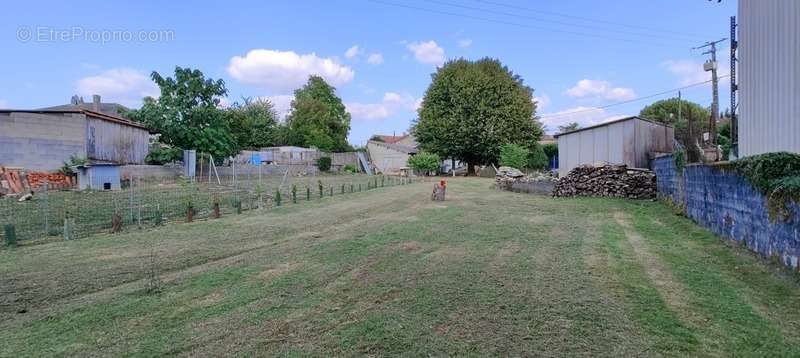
(769, 76)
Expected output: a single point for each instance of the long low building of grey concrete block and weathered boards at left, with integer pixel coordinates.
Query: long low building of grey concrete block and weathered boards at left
(43, 140)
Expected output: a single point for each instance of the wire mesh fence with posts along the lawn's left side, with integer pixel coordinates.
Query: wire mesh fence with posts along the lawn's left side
(141, 203)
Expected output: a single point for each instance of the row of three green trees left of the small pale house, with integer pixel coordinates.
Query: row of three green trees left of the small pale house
(188, 115)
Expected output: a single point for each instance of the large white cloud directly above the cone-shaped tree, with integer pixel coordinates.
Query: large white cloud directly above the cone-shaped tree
(284, 71)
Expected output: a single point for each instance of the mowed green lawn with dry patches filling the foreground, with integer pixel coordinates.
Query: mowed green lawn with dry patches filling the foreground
(389, 272)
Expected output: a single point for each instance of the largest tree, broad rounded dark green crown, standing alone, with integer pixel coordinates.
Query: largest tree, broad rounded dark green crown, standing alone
(472, 108)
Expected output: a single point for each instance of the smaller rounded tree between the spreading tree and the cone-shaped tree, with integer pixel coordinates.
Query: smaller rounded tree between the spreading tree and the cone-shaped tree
(253, 123)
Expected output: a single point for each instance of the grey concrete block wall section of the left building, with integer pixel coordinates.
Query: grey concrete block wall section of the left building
(41, 142)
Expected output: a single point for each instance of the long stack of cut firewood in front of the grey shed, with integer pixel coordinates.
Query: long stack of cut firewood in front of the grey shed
(607, 180)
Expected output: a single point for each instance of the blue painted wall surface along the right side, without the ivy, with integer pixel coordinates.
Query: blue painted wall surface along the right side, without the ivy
(725, 203)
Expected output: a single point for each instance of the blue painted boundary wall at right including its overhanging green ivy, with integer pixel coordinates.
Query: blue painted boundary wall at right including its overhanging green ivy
(759, 213)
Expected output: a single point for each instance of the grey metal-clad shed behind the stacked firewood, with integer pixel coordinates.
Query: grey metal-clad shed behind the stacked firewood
(628, 141)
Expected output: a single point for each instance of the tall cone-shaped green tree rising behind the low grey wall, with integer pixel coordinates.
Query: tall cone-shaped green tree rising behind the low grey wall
(317, 118)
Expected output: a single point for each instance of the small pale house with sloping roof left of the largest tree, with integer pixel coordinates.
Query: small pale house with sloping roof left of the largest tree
(391, 157)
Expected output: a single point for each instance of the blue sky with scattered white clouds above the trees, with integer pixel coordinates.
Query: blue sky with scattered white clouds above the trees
(582, 57)
